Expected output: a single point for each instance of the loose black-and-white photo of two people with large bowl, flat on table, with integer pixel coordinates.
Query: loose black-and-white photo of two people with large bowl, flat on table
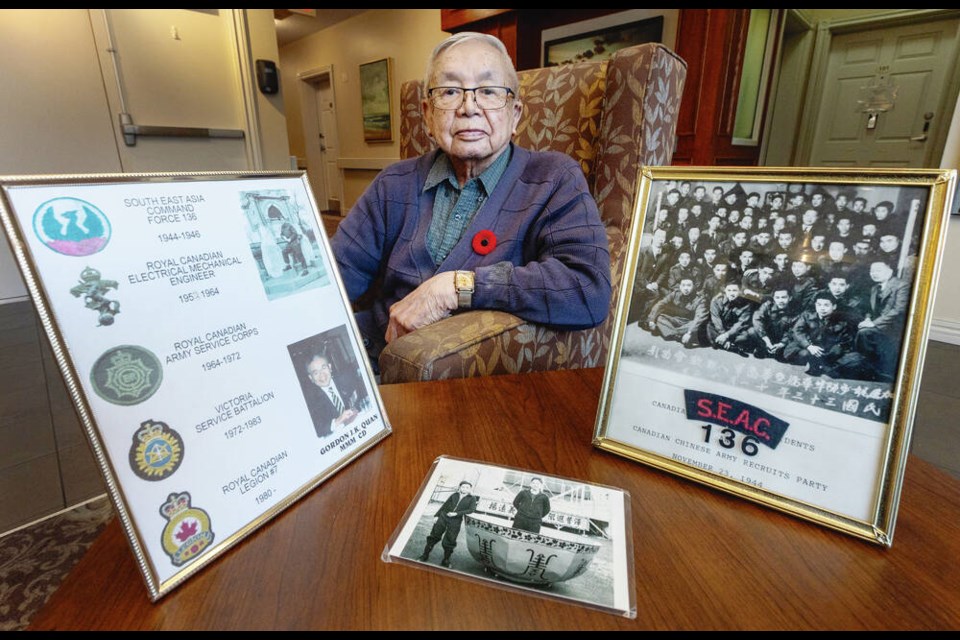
(522, 530)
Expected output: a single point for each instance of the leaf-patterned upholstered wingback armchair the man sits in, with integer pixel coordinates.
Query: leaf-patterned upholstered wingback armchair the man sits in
(611, 116)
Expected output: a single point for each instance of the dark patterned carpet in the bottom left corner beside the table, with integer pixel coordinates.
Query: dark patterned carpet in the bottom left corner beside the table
(34, 560)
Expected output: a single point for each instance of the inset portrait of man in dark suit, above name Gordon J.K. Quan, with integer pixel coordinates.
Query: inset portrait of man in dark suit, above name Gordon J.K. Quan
(331, 380)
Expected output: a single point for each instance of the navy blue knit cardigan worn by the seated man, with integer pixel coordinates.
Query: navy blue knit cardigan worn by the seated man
(551, 264)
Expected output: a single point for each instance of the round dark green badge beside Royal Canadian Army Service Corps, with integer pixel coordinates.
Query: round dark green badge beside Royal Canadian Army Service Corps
(126, 375)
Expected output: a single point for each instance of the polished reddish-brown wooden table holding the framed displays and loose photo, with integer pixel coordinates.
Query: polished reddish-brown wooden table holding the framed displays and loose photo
(704, 560)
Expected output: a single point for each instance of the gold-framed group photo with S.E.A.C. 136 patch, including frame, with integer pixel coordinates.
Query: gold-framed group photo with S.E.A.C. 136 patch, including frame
(772, 331)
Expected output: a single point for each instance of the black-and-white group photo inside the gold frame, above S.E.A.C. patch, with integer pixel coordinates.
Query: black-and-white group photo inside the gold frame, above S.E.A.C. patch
(796, 289)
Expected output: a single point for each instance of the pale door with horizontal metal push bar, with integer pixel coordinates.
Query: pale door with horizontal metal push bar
(139, 51)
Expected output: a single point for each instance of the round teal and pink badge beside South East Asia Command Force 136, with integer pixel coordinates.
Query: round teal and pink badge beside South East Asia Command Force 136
(71, 226)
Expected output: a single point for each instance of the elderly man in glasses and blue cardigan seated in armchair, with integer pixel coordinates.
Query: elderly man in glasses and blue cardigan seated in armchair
(479, 223)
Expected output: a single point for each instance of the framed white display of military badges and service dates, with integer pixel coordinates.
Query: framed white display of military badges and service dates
(208, 345)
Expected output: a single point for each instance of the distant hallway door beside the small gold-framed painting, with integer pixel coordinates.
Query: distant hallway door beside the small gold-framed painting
(321, 140)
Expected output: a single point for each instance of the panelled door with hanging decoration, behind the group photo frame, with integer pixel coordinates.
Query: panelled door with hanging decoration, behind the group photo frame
(884, 96)
